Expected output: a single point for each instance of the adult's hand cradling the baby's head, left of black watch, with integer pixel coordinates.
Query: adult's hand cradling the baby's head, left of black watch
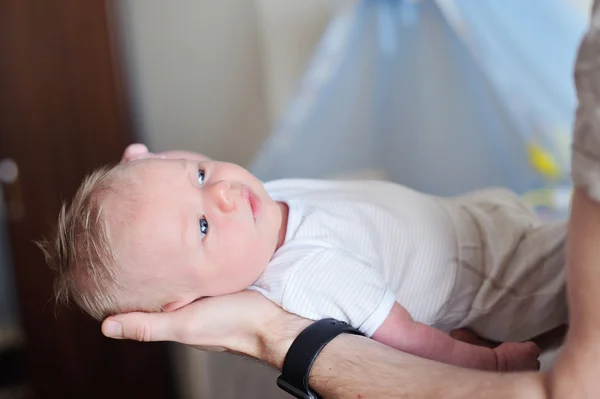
(244, 322)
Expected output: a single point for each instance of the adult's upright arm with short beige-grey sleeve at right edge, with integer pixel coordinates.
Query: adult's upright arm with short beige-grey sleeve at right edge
(575, 371)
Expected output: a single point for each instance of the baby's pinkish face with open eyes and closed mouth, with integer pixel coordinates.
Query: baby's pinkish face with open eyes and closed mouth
(193, 229)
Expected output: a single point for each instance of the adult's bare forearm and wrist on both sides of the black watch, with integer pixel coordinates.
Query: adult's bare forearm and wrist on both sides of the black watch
(353, 366)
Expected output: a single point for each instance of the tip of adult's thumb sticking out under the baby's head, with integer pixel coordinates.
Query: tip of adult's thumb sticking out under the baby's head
(143, 327)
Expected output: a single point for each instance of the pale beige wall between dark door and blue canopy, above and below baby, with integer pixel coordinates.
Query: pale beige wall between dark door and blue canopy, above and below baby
(213, 76)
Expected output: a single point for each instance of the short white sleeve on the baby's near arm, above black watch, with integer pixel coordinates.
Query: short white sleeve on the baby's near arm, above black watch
(334, 283)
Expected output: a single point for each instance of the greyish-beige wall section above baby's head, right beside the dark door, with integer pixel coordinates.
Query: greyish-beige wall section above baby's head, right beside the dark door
(196, 73)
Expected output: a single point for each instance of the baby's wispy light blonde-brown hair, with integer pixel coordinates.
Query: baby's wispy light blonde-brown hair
(81, 252)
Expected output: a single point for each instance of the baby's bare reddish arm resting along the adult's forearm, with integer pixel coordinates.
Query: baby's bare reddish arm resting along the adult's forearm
(400, 331)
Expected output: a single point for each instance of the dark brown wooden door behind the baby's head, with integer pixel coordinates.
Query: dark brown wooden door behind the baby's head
(63, 113)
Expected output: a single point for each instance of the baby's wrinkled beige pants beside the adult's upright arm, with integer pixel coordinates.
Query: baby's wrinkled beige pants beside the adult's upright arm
(511, 267)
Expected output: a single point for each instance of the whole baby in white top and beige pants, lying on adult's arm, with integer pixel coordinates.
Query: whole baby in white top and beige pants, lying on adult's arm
(159, 231)
